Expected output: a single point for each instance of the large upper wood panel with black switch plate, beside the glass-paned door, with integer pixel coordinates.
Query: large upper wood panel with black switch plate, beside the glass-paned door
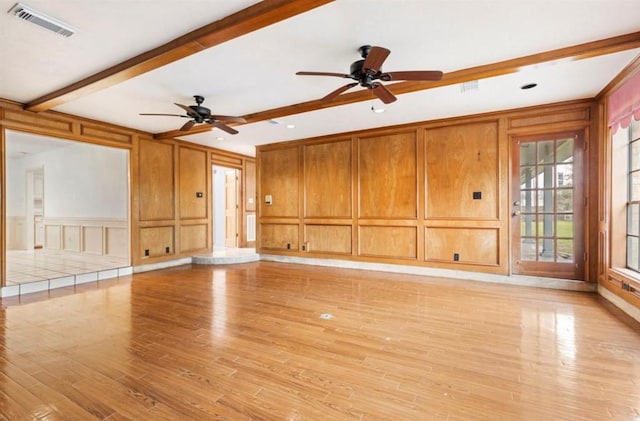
(461, 161)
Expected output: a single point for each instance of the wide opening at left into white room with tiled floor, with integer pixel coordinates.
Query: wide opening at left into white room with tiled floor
(67, 209)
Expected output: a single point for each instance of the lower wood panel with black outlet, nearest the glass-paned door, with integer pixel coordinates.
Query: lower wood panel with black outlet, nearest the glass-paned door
(472, 245)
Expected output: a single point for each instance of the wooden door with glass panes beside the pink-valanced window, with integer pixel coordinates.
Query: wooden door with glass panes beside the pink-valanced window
(548, 205)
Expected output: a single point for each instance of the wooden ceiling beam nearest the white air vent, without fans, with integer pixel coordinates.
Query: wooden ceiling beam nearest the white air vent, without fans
(252, 18)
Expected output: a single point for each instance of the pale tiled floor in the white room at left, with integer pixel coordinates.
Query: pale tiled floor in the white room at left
(25, 266)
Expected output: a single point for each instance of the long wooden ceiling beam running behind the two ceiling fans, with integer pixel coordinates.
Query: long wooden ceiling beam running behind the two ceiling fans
(576, 52)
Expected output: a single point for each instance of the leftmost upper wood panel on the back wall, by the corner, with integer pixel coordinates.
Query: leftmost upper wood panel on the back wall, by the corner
(280, 179)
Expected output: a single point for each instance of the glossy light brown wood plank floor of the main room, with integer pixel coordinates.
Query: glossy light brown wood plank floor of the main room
(275, 341)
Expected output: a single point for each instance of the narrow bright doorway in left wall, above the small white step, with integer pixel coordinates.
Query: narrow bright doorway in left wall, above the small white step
(226, 190)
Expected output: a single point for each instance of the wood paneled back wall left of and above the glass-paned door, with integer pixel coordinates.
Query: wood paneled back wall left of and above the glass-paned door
(406, 194)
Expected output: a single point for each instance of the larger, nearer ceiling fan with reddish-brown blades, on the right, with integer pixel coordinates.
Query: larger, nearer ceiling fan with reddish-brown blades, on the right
(367, 72)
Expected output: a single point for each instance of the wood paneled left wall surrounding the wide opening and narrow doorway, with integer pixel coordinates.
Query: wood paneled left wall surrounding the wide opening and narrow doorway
(170, 194)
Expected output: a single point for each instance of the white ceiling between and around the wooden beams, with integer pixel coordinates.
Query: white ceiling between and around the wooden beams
(256, 72)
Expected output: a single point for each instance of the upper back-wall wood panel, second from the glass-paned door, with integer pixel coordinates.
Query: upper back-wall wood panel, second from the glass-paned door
(387, 175)
